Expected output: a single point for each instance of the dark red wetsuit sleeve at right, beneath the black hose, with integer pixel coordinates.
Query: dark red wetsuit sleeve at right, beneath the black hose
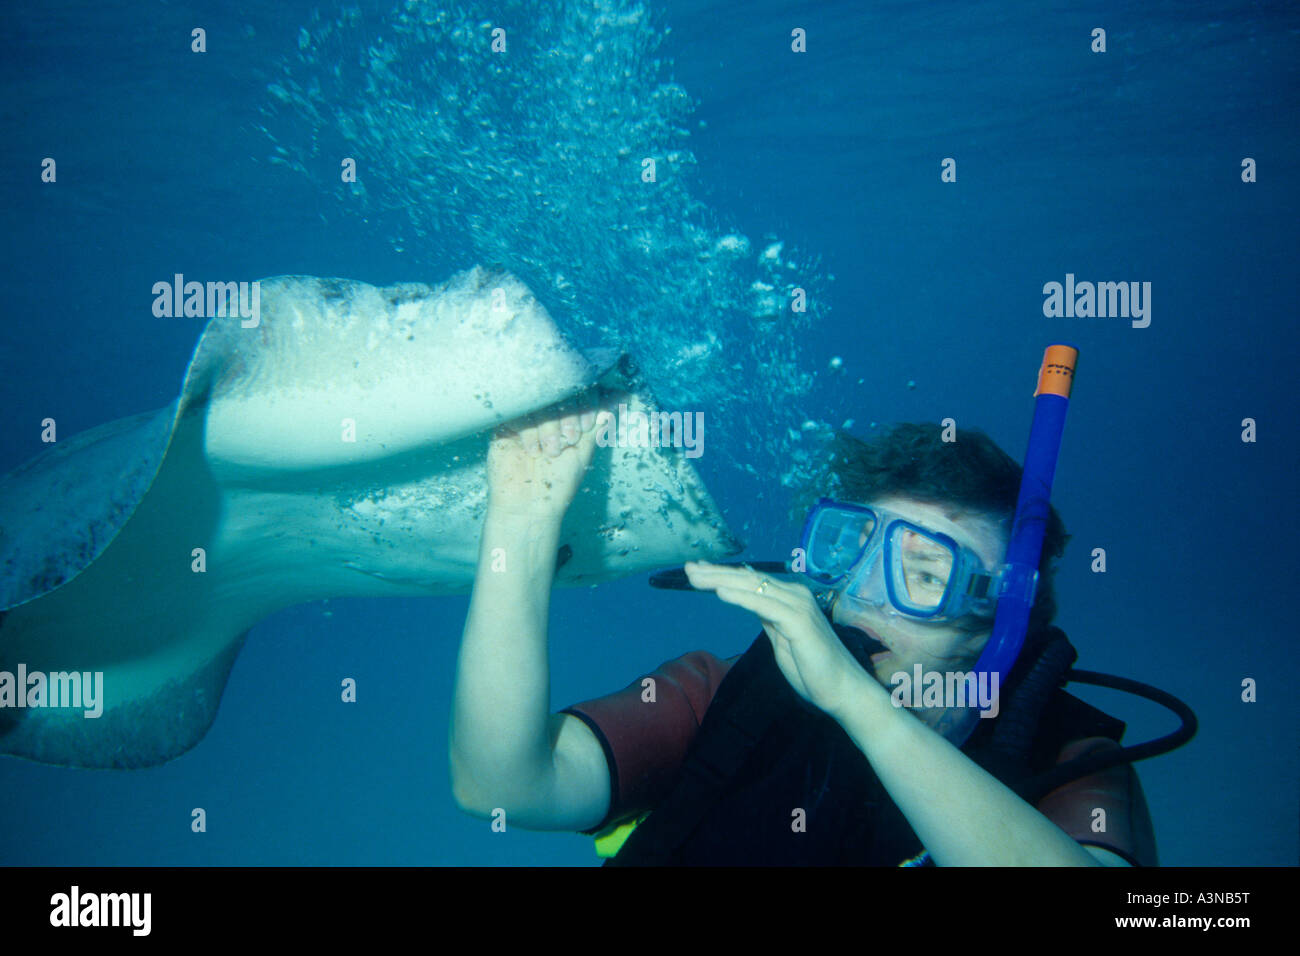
(1116, 791)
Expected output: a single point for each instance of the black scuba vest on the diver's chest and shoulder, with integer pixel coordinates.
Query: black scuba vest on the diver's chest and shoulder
(764, 754)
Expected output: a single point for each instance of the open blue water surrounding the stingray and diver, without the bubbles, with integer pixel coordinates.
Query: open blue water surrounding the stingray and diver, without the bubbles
(1116, 167)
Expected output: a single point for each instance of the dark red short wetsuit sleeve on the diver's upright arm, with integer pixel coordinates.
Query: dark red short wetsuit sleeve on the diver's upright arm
(645, 742)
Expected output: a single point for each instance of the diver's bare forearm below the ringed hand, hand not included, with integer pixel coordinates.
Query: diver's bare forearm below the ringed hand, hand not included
(963, 815)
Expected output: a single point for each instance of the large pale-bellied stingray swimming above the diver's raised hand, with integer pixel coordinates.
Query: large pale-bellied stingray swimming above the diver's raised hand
(146, 548)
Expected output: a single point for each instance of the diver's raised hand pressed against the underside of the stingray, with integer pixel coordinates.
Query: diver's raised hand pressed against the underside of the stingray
(536, 466)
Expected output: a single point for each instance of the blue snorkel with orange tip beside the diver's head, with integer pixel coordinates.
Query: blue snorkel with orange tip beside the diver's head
(1025, 550)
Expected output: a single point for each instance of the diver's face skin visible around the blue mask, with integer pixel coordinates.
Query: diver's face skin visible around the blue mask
(937, 647)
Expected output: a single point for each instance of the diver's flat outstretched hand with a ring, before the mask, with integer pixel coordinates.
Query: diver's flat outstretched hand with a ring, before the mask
(808, 651)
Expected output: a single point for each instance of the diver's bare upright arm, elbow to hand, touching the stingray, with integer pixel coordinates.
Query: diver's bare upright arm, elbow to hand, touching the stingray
(547, 772)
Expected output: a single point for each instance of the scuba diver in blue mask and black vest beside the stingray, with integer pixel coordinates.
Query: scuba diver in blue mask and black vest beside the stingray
(796, 752)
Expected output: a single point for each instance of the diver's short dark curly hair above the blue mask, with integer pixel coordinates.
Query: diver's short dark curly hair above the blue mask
(913, 460)
